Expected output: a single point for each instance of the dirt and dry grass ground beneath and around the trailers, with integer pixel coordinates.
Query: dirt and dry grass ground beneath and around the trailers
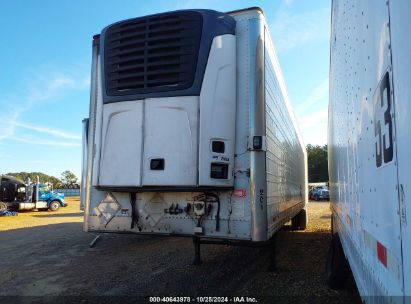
(45, 257)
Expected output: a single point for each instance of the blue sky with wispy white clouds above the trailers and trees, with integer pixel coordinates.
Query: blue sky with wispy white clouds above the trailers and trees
(45, 67)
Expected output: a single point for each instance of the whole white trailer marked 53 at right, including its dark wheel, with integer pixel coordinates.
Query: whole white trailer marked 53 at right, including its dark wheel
(369, 144)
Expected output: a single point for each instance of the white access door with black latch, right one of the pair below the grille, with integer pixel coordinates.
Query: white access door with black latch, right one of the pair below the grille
(170, 141)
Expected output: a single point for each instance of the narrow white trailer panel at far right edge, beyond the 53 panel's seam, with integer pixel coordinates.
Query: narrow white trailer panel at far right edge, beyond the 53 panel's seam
(401, 49)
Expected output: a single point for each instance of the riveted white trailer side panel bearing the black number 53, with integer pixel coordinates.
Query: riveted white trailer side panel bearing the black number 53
(362, 154)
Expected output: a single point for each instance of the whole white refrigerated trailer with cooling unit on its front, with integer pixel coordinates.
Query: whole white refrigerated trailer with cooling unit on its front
(191, 130)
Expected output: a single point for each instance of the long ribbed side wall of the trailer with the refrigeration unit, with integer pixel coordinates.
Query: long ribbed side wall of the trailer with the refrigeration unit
(286, 159)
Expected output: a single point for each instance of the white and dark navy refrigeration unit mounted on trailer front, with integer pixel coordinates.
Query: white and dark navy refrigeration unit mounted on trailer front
(168, 100)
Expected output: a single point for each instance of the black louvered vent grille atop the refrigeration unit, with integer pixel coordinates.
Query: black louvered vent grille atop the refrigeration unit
(152, 54)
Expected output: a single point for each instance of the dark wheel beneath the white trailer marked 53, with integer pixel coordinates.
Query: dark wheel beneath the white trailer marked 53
(337, 267)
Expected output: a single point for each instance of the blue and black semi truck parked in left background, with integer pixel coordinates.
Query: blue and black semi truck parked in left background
(15, 194)
